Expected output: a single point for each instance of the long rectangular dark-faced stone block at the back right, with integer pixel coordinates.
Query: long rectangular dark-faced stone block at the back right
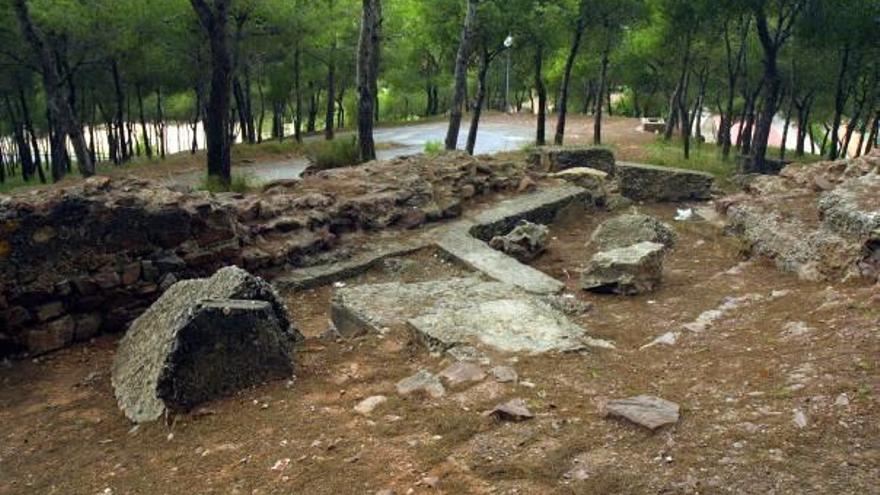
(652, 183)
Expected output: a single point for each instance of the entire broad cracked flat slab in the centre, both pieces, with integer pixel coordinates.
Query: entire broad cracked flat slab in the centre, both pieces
(459, 312)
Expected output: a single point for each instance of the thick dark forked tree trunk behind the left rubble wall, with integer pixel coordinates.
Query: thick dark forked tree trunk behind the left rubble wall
(215, 22)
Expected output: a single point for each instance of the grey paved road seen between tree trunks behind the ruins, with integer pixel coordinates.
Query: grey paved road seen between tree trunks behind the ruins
(492, 138)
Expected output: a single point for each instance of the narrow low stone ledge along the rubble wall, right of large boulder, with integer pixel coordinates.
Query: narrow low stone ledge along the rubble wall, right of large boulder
(316, 276)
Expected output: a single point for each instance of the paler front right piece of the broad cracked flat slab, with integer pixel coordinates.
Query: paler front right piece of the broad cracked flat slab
(510, 325)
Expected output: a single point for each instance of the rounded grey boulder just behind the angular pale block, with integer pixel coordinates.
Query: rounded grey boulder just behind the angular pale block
(626, 230)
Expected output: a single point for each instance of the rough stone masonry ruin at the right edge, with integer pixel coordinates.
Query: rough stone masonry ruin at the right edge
(820, 221)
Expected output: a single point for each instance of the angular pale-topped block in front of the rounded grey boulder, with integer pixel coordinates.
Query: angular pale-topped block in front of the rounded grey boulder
(630, 270)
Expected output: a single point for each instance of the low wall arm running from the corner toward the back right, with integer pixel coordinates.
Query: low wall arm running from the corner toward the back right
(539, 207)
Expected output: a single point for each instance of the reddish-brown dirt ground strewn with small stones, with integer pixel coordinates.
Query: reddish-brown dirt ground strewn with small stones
(789, 352)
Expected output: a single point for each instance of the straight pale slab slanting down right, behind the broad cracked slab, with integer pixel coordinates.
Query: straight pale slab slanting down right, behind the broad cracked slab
(479, 256)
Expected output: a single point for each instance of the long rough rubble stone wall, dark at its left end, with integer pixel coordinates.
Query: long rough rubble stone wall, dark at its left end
(80, 260)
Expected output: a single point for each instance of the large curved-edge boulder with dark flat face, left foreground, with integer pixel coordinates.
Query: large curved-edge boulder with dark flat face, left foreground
(203, 339)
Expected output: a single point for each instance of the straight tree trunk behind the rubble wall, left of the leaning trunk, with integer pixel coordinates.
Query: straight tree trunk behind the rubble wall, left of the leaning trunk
(367, 76)
